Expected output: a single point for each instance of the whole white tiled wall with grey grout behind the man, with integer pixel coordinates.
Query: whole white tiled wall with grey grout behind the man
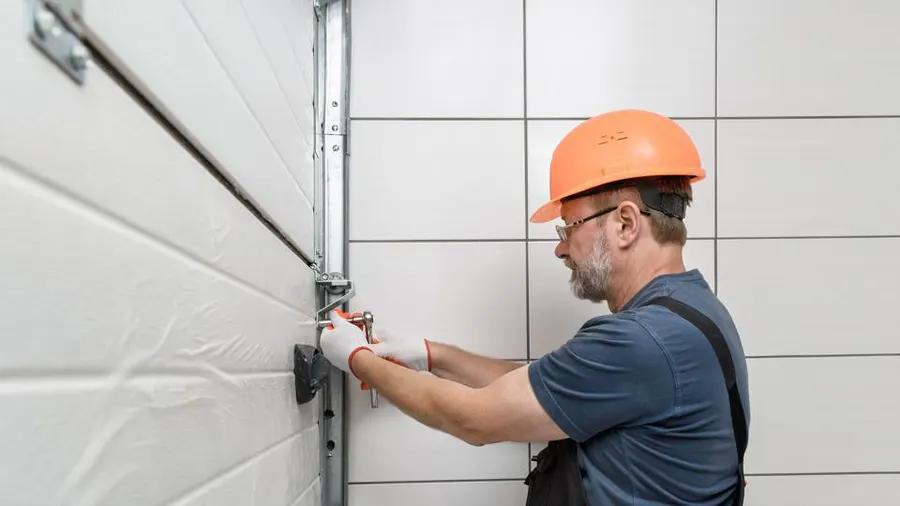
(795, 225)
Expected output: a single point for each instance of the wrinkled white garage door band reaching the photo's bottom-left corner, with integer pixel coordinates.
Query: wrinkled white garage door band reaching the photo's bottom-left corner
(137, 441)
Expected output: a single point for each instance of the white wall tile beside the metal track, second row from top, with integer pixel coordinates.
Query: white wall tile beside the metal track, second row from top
(451, 158)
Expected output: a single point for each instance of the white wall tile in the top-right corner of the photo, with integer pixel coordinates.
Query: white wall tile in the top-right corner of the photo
(808, 58)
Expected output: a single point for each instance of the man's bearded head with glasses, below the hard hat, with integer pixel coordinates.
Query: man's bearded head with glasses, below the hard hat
(612, 230)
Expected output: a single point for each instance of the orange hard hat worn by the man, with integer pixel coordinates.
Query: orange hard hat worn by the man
(614, 147)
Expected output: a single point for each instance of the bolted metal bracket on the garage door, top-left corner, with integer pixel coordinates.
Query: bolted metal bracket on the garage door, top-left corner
(55, 27)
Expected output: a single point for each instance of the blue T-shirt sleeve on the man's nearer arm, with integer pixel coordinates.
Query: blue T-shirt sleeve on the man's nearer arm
(612, 373)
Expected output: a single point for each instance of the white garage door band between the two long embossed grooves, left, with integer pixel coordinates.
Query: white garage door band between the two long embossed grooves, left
(83, 291)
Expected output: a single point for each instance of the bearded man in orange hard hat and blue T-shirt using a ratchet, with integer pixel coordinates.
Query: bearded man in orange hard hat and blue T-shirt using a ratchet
(640, 390)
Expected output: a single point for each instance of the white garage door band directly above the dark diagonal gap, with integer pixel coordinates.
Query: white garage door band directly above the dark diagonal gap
(161, 45)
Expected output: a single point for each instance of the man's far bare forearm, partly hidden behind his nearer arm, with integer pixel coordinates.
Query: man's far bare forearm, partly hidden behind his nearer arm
(455, 364)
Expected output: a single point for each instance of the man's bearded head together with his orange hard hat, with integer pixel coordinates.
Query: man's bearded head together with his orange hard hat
(622, 179)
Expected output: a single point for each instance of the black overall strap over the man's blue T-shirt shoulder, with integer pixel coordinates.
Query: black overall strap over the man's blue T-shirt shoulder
(717, 341)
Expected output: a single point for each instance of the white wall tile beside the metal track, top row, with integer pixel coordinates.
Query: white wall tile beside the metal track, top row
(415, 58)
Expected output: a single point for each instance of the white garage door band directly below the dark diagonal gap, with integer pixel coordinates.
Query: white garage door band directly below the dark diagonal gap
(111, 154)
